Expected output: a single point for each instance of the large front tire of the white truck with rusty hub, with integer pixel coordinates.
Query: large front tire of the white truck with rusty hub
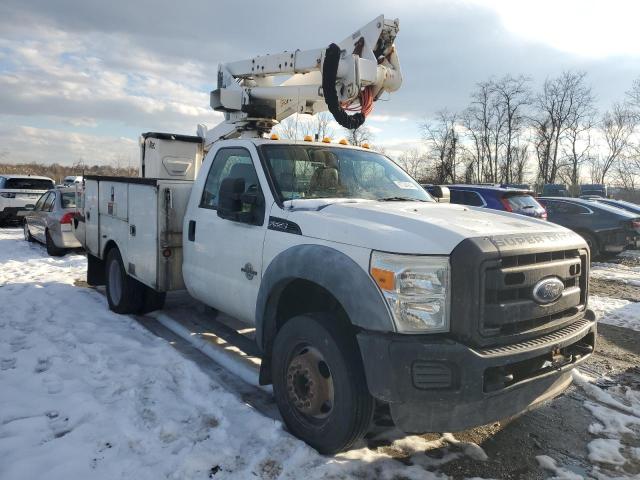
(319, 383)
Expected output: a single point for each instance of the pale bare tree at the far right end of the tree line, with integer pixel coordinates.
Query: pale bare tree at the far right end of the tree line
(617, 127)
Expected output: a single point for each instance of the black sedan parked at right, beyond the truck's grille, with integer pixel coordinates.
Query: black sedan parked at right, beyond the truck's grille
(605, 229)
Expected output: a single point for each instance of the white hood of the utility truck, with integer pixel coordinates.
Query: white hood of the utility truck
(407, 227)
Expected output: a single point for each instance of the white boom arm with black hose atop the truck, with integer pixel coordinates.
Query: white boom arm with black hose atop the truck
(355, 71)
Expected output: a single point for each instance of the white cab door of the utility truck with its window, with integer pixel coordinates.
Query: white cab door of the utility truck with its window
(223, 258)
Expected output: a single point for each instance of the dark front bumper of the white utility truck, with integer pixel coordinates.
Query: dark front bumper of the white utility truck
(435, 384)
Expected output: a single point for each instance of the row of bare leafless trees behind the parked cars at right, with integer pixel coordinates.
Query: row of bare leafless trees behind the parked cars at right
(510, 133)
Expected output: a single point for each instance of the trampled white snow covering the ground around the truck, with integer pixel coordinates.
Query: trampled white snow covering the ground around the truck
(85, 393)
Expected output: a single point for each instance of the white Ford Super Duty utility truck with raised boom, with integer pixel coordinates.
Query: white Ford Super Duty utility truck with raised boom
(364, 292)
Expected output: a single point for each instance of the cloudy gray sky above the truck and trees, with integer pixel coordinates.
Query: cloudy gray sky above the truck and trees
(82, 79)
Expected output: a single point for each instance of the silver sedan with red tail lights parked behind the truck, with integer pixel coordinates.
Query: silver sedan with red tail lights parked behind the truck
(49, 221)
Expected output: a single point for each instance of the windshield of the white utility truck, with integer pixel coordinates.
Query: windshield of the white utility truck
(311, 171)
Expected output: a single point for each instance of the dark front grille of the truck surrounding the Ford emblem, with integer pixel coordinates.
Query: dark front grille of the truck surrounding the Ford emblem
(507, 305)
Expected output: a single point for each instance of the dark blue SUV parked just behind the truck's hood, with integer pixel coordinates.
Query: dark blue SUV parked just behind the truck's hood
(498, 198)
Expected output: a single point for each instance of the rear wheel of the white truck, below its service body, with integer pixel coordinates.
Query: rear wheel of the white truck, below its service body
(124, 293)
